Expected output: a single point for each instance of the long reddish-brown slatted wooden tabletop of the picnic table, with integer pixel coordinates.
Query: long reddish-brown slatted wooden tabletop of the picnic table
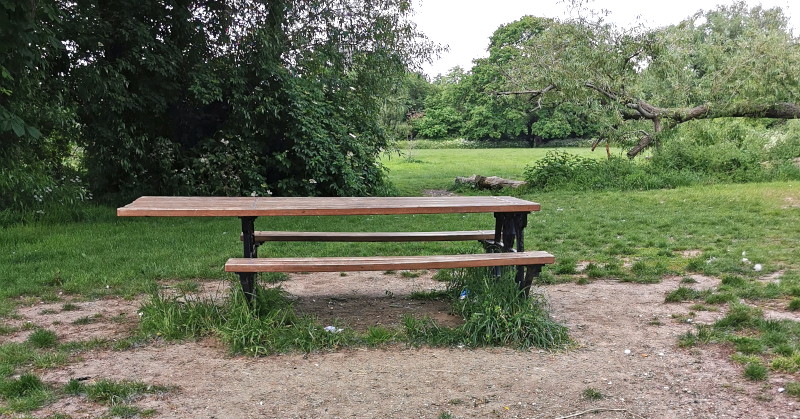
(185, 206)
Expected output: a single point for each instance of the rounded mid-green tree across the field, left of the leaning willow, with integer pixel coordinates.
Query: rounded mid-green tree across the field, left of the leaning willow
(465, 103)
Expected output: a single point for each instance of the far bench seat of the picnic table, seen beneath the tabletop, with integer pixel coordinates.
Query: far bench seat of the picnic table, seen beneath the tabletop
(417, 236)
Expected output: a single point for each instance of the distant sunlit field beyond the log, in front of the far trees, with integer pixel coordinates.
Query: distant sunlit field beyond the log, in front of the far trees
(415, 170)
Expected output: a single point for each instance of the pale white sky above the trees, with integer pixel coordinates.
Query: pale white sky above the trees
(465, 25)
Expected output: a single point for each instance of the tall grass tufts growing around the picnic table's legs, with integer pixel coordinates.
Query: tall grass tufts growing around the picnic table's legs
(494, 314)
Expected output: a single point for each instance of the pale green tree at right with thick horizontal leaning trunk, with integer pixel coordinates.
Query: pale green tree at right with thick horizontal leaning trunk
(729, 62)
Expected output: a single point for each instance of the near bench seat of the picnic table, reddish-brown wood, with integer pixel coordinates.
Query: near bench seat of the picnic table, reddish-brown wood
(384, 263)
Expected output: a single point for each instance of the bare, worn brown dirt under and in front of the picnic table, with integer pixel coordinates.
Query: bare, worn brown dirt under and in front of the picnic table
(655, 379)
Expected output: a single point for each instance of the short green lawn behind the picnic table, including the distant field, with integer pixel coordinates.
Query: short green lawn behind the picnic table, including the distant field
(128, 255)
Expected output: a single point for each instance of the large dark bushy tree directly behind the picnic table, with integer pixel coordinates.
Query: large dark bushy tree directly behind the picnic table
(222, 97)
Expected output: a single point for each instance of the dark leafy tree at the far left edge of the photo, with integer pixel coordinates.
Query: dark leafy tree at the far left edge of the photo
(35, 121)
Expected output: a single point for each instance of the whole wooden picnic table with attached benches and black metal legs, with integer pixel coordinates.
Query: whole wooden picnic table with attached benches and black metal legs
(504, 244)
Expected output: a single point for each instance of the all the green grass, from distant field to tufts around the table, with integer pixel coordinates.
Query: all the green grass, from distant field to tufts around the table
(630, 236)
